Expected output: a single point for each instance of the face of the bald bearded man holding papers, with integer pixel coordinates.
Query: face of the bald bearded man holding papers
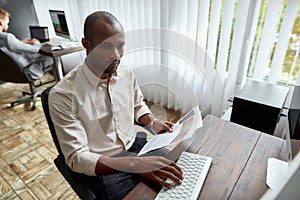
(106, 49)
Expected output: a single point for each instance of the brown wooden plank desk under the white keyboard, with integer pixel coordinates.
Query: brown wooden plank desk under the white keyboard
(239, 165)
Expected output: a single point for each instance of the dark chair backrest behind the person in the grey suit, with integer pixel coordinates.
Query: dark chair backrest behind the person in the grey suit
(10, 70)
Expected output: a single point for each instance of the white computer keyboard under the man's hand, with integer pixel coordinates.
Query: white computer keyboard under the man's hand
(195, 168)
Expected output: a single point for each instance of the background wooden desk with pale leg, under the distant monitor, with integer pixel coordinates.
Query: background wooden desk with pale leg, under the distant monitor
(58, 69)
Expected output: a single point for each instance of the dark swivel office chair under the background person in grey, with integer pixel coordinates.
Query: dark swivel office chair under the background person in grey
(12, 71)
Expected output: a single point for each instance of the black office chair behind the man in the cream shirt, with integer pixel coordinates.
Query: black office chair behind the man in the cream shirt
(74, 179)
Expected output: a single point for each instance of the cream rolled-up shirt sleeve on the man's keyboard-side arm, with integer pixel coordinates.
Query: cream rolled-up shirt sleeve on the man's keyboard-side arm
(71, 134)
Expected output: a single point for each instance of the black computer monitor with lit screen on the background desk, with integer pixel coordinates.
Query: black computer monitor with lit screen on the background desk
(59, 22)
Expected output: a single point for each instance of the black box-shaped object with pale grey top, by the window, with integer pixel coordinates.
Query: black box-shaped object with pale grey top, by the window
(258, 105)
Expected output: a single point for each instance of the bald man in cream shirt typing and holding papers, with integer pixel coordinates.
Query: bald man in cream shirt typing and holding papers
(94, 108)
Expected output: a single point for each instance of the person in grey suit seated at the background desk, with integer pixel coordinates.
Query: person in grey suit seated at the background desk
(25, 51)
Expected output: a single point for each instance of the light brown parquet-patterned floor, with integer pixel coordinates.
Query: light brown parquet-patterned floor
(27, 151)
